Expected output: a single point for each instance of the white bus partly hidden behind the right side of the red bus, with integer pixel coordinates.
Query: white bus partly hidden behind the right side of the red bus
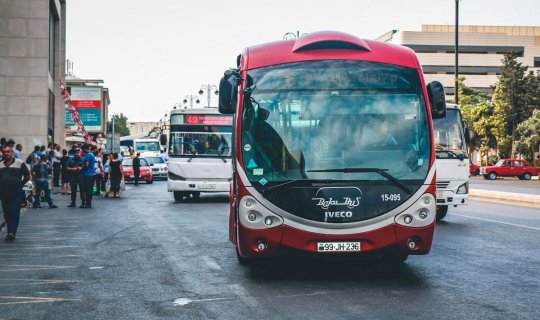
(451, 137)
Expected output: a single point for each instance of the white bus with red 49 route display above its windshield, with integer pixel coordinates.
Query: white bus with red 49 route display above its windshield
(199, 152)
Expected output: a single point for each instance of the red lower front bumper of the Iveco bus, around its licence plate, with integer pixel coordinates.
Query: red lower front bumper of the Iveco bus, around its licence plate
(284, 239)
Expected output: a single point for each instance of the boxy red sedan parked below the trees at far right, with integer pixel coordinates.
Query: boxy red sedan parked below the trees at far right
(510, 168)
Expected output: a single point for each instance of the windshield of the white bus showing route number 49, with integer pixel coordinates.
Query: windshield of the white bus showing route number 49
(206, 141)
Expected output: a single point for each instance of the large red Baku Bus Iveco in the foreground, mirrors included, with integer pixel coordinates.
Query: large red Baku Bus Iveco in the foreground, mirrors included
(333, 148)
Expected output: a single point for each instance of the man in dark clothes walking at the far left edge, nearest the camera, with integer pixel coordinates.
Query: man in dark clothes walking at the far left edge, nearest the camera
(13, 175)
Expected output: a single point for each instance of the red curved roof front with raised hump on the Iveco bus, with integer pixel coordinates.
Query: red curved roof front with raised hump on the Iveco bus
(331, 45)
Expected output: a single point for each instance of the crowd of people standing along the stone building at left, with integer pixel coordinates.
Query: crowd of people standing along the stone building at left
(82, 168)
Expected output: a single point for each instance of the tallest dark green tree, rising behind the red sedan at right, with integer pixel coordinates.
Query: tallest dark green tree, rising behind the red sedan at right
(511, 102)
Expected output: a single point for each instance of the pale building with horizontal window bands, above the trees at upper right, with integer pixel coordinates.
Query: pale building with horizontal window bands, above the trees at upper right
(481, 49)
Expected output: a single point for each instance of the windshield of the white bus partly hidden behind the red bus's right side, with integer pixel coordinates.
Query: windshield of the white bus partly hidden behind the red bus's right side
(449, 138)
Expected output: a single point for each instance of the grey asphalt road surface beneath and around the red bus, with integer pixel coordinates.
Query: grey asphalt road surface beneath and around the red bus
(145, 257)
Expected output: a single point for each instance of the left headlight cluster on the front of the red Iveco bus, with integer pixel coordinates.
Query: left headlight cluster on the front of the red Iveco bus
(254, 215)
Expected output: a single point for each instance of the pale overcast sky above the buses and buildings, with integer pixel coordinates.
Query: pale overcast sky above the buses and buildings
(152, 54)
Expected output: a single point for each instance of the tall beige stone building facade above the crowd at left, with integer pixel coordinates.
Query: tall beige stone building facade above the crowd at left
(32, 63)
